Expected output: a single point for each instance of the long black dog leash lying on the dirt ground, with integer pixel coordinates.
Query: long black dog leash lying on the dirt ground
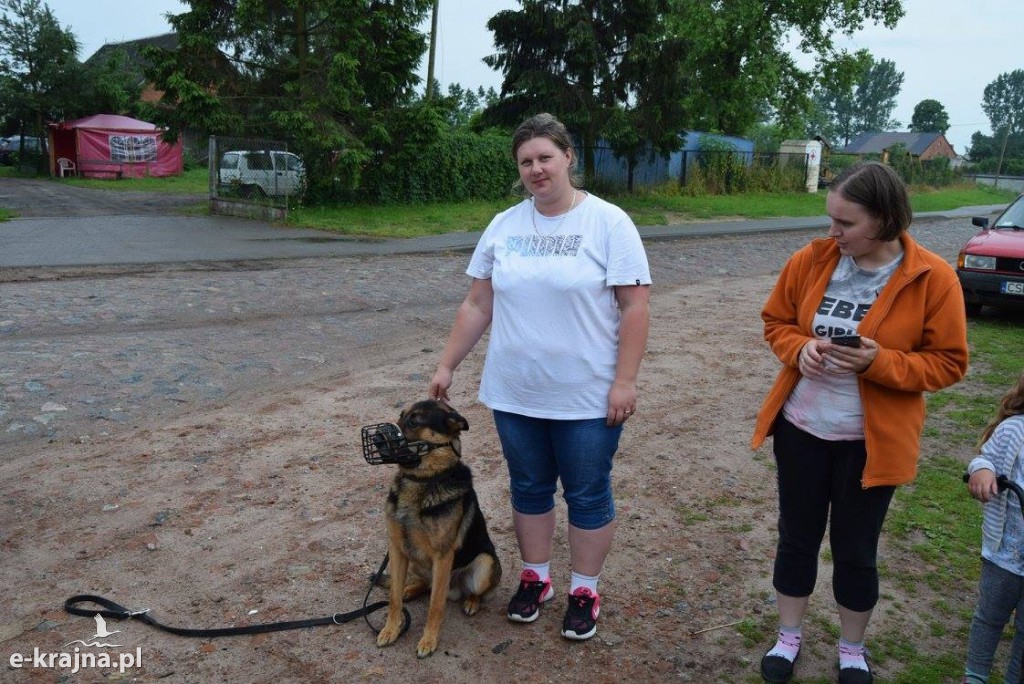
(117, 612)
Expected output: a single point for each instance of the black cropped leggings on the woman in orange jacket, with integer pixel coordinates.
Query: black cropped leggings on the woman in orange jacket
(815, 476)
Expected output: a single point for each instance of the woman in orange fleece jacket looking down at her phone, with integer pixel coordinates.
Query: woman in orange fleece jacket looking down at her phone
(847, 420)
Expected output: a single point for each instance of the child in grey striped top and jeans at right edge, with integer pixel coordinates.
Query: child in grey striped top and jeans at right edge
(1001, 591)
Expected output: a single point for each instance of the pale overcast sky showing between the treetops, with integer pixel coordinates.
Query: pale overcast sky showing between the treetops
(948, 50)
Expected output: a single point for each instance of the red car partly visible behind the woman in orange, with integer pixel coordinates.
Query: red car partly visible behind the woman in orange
(992, 265)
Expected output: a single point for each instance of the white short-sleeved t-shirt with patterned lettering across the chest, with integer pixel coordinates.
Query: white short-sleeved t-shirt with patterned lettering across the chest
(554, 330)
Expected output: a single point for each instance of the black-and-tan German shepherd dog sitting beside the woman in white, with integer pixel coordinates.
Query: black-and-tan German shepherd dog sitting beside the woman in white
(438, 538)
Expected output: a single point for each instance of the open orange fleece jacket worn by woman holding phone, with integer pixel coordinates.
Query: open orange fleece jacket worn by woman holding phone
(920, 324)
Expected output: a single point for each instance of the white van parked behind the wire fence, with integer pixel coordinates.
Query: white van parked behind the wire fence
(262, 173)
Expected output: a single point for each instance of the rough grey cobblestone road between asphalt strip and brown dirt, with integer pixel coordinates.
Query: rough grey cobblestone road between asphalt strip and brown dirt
(94, 350)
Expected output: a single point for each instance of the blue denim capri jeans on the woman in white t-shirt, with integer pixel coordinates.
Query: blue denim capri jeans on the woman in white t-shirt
(541, 452)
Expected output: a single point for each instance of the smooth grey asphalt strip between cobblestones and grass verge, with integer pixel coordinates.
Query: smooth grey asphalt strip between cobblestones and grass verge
(71, 227)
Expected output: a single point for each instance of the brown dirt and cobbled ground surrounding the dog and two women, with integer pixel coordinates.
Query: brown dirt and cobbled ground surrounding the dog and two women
(188, 442)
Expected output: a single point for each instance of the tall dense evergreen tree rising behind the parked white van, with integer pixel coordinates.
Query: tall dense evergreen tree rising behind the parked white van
(330, 76)
